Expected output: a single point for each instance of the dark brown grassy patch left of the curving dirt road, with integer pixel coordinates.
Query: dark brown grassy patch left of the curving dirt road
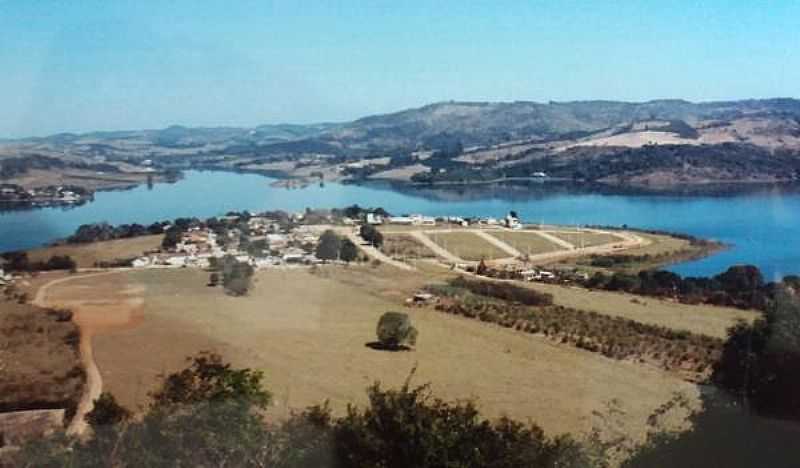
(39, 362)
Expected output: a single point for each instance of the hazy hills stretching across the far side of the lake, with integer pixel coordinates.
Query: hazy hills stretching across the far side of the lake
(747, 140)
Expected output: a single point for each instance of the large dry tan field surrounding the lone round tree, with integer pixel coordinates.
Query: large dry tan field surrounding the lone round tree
(308, 332)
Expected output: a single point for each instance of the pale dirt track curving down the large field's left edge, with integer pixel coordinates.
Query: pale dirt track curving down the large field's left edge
(94, 382)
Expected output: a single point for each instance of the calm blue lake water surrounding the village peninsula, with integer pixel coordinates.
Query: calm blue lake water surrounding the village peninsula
(763, 228)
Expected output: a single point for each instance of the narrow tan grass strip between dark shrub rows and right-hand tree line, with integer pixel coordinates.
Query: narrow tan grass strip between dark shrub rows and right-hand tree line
(701, 319)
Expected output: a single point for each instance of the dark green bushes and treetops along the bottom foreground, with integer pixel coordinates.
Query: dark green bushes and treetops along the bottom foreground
(212, 415)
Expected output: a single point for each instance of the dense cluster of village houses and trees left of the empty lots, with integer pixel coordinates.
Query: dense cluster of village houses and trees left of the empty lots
(261, 243)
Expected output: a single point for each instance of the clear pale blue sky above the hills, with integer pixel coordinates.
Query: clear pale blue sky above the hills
(76, 66)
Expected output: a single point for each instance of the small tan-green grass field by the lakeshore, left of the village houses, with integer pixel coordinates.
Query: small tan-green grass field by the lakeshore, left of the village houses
(87, 254)
